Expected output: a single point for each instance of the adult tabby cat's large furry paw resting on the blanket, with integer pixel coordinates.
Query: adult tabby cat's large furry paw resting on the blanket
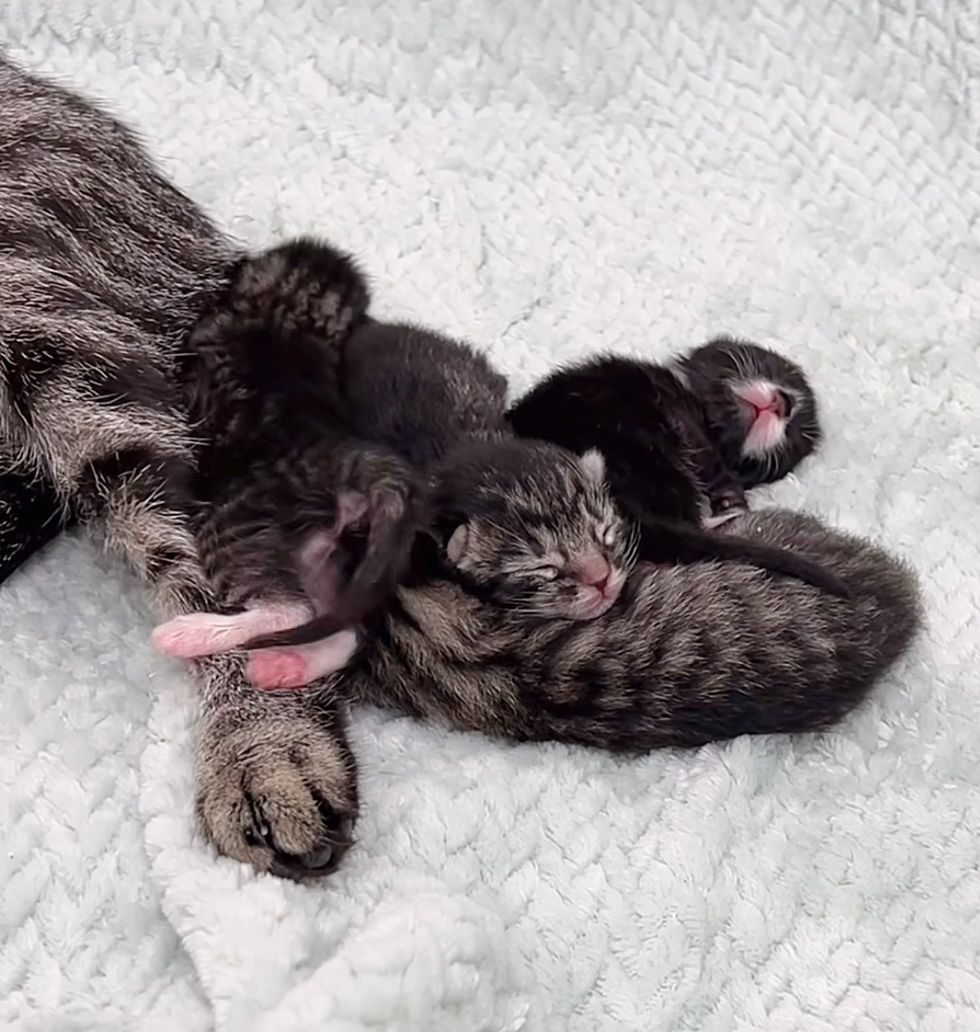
(277, 789)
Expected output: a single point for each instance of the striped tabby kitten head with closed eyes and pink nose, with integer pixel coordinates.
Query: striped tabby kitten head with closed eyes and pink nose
(533, 526)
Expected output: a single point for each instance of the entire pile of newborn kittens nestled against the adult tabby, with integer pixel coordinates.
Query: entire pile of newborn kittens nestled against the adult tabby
(550, 588)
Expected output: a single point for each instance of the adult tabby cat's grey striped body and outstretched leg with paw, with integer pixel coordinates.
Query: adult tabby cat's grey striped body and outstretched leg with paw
(105, 268)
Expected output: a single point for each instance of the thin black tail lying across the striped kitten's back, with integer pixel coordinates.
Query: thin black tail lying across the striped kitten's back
(667, 540)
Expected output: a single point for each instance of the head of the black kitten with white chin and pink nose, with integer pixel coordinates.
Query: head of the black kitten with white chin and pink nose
(760, 407)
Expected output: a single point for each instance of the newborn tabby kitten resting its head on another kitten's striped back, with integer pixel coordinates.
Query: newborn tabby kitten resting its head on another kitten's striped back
(535, 525)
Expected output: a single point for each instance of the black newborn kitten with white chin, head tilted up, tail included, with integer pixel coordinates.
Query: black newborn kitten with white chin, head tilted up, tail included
(666, 439)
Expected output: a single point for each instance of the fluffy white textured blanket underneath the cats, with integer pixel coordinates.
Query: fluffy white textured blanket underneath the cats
(548, 179)
